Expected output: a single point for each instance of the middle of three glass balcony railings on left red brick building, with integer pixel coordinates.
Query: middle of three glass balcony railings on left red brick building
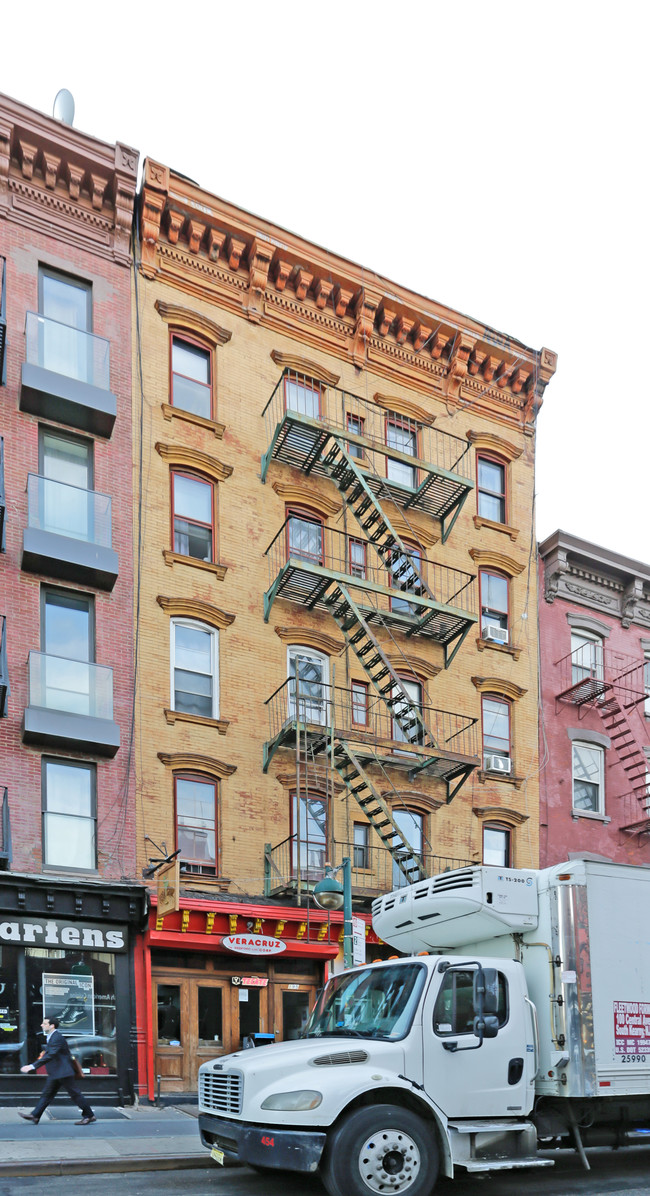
(69, 511)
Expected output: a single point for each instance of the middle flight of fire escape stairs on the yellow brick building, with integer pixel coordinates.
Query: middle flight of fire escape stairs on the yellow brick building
(378, 668)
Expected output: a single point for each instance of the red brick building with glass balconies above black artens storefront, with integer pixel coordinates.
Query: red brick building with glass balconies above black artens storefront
(68, 907)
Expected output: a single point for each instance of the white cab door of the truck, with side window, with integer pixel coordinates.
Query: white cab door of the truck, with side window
(491, 1081)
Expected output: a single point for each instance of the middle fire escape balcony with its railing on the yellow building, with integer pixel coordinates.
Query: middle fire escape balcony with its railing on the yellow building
(396, 600)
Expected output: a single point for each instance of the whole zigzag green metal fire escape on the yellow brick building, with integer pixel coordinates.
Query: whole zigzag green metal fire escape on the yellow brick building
(331, 442)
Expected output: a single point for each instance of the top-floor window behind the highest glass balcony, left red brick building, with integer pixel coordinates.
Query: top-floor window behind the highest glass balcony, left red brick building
(64, 346)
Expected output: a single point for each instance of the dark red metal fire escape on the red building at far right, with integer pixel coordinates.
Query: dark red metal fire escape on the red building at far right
(613, 685)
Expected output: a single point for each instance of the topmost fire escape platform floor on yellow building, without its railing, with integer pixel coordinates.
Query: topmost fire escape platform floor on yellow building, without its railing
(300, 441)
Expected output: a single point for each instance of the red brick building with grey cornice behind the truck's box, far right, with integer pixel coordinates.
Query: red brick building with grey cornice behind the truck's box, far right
(596, 703)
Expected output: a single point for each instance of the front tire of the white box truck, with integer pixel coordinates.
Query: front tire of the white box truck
(381, 1150)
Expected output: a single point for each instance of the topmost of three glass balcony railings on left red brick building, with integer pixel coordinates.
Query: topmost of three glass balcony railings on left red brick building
(68, 351)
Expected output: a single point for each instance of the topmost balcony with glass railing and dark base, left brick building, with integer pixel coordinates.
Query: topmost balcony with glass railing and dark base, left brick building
(66, 376)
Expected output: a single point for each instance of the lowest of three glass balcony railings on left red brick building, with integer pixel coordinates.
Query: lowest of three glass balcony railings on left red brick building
(75, 687)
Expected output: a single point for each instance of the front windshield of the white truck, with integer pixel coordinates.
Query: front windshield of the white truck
(376, 1003)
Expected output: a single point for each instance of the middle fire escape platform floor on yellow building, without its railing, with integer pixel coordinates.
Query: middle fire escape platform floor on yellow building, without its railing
(308, 584)
